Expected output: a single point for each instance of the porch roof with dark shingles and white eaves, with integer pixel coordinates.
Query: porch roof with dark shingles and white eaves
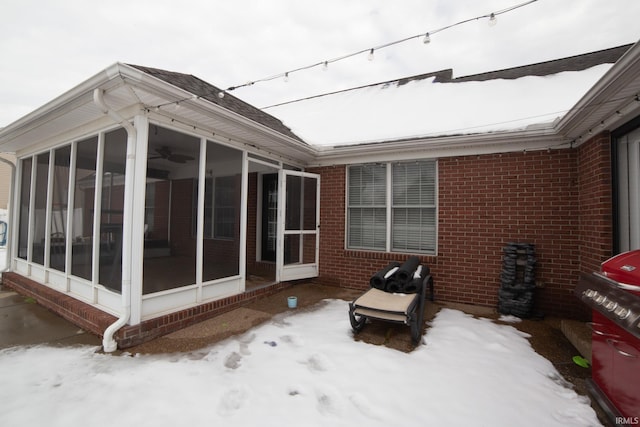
(132, 90)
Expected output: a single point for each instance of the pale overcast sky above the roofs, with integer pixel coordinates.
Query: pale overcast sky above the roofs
(48, 47)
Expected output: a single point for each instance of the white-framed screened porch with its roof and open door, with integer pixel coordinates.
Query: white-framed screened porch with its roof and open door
(143, 192)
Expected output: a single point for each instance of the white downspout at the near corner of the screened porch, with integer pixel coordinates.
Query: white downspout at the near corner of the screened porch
(109, 344)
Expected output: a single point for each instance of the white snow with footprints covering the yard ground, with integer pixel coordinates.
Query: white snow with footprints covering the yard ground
(299, 369)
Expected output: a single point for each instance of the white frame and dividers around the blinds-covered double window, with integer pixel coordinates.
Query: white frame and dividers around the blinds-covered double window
(389, 207)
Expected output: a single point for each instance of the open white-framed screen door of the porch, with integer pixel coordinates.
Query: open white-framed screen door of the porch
(298, 225)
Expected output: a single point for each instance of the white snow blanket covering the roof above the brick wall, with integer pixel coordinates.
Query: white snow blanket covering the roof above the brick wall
(426, 108)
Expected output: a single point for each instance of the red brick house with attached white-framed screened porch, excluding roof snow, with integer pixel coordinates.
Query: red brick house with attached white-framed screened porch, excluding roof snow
(144, 201)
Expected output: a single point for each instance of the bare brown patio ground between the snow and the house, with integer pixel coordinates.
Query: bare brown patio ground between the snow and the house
(26, 323)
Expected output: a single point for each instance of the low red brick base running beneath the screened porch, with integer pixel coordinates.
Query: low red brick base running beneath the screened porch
(96, 321)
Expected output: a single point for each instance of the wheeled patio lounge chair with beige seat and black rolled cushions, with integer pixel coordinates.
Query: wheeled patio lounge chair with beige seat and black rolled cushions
(397, 295)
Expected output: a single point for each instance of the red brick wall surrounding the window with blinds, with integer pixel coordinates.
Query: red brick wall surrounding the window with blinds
(485, 202)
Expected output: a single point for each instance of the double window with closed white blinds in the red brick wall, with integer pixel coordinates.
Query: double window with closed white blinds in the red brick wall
(392, 207)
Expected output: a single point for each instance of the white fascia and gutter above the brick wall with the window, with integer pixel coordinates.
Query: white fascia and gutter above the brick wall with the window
(447, 146)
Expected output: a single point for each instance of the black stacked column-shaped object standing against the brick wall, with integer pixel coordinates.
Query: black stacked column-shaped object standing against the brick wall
(517, 280)
